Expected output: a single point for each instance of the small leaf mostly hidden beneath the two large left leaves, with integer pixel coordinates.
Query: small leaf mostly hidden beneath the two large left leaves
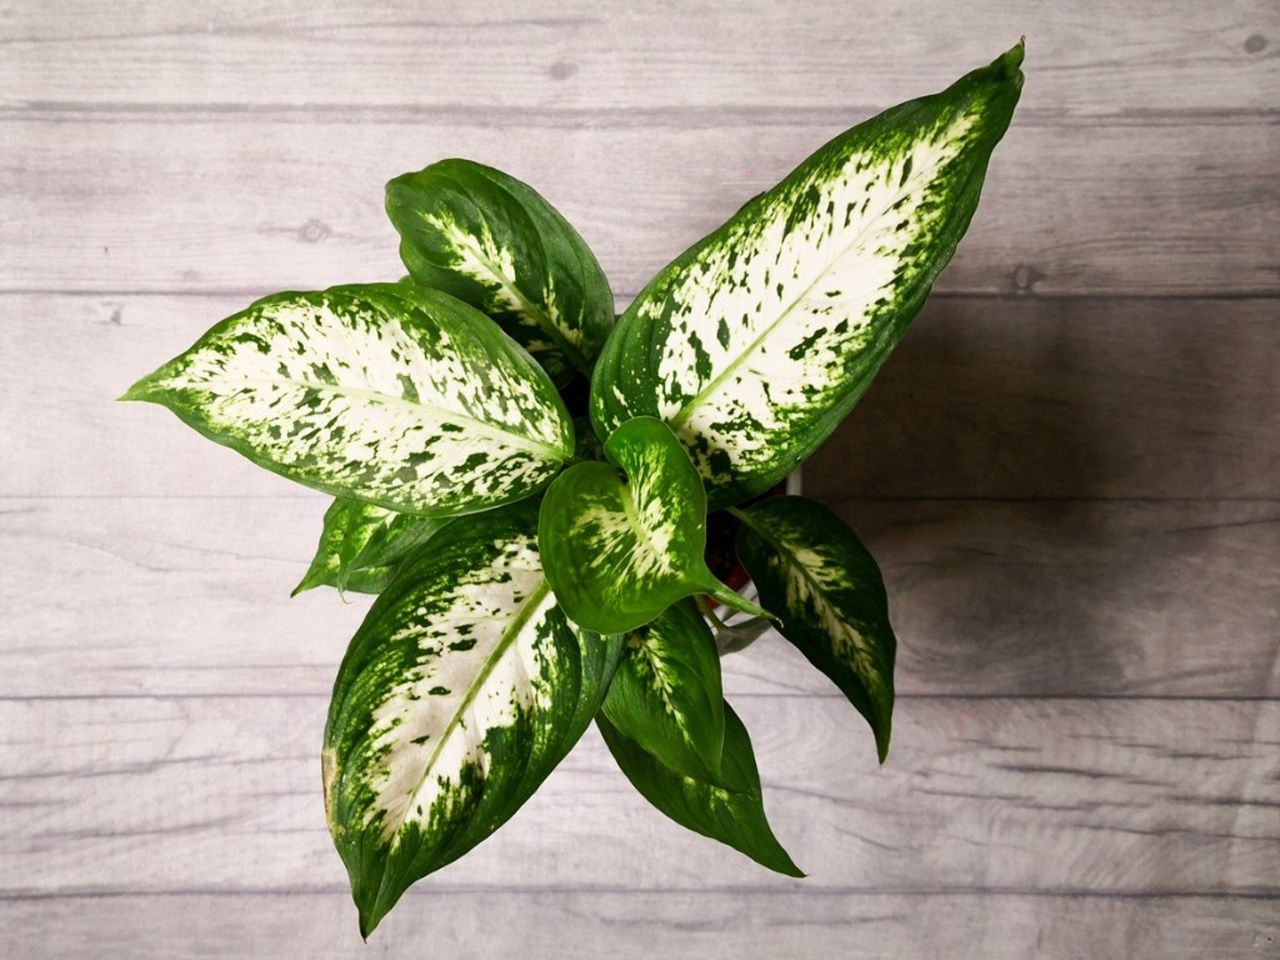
(362, 546)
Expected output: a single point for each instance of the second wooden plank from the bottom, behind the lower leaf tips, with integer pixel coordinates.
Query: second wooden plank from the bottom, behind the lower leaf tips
(1055, 797)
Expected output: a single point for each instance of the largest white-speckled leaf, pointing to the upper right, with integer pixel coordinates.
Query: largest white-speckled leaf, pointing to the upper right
(760, 340)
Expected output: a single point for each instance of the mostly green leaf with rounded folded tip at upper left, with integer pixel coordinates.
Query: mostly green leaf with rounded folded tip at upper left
(496, 244)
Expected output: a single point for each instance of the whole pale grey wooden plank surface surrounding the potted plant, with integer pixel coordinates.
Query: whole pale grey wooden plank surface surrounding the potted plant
(1071, 473)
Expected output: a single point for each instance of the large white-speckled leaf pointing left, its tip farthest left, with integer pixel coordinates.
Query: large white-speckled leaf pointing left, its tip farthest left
(386, 394)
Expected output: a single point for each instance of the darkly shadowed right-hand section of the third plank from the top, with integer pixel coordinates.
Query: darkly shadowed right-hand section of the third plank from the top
(1069, 399)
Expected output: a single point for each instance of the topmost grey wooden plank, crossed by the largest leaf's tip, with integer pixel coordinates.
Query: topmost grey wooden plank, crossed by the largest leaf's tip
(632, 62)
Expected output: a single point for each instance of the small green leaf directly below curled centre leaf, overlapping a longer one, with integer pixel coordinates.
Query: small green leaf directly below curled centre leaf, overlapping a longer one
(666, 694)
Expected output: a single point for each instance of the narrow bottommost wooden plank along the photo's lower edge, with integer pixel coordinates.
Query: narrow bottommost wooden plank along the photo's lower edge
(638, 926)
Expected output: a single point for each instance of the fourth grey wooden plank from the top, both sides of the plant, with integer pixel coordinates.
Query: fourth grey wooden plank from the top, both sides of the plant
(181, 597)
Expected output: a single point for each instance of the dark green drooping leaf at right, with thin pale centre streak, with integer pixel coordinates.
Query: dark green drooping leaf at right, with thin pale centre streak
(825, 586)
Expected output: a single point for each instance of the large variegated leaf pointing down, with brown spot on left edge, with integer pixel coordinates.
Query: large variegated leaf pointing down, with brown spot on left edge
(463, 689)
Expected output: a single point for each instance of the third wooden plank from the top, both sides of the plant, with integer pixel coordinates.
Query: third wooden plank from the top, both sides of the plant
(988, 397)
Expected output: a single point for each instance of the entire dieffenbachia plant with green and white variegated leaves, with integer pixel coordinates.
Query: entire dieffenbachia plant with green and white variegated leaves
(540, 548)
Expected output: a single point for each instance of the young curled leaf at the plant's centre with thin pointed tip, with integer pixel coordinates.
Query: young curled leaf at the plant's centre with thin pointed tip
(619, 551)
